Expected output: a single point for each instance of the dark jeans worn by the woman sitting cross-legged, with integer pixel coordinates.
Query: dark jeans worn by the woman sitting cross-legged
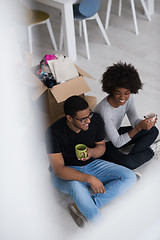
(140, 152)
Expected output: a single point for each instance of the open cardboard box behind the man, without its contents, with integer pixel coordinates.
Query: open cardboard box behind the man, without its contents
(51, 100)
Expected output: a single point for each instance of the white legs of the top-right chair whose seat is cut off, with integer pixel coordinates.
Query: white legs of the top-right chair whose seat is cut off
(133, 12)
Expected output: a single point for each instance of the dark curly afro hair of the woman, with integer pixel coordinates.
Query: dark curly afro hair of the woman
(121, 75)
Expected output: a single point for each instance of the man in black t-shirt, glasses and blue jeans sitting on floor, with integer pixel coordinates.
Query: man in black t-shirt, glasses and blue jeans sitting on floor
(73, 176)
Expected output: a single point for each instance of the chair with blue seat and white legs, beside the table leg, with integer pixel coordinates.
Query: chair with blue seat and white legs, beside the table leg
(83, 11)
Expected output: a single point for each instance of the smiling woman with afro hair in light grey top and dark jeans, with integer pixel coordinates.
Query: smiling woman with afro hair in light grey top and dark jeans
(120, 82)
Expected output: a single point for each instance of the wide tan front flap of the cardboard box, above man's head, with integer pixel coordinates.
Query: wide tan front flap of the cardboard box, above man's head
(71, 87)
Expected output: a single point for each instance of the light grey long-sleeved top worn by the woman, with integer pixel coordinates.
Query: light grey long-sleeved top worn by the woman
(113, 118)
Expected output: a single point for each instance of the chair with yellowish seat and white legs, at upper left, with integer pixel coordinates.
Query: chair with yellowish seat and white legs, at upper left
(32, 18)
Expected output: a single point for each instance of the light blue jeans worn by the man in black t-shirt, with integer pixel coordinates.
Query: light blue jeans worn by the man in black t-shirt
(116, 179)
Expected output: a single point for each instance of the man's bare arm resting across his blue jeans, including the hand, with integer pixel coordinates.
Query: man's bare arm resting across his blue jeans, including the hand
(67, 173)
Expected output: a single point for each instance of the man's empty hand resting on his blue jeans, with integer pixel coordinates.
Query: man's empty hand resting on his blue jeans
(96, 184)
